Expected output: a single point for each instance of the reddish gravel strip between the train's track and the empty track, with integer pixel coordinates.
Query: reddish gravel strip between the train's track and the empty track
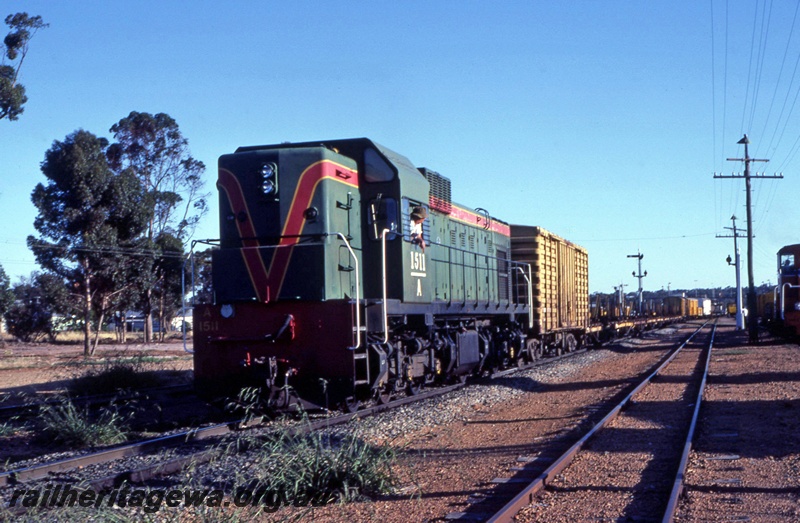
(451, 447)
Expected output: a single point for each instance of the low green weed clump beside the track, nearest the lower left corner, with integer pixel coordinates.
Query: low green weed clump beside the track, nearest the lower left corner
(76, 427)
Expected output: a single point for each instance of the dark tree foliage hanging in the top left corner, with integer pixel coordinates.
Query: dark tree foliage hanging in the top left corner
(14, 51)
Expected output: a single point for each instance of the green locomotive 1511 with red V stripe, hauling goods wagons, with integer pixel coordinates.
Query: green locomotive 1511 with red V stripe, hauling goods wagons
(345, 274)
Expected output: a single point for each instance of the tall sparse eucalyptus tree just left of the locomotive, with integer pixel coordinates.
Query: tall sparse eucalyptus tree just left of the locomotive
(153, 149)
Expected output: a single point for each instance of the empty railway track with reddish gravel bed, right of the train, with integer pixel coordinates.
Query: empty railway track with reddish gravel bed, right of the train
(616, 469)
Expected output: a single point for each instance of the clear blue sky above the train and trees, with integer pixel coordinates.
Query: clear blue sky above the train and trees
(602, 121)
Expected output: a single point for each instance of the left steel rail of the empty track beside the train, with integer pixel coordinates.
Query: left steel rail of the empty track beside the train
(527, 495)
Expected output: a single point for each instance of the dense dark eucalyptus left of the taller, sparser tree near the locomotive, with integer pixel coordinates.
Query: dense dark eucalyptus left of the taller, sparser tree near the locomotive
(89, 222)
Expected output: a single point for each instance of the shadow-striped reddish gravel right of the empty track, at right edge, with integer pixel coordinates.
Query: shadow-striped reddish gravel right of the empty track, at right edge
(745, 464)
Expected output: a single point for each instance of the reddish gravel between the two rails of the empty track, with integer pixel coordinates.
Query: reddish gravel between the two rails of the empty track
(626, 472)
